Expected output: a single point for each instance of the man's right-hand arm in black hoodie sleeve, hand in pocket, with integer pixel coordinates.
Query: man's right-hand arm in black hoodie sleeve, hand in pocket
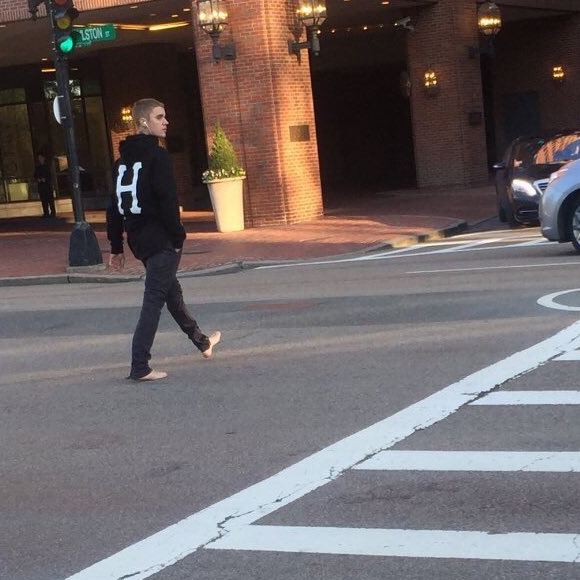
(164, 188)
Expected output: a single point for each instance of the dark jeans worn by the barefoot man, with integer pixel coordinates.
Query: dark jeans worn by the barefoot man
(161, 287)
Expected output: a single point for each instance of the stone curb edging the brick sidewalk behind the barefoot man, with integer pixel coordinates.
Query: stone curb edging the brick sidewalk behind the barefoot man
(235, 267)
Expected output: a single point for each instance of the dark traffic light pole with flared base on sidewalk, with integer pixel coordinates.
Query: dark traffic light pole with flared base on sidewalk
(84, 248)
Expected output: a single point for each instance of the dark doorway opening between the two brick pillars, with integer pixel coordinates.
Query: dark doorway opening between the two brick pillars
(363, 118)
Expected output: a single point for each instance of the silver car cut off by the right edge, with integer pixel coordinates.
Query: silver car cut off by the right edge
(560, 205)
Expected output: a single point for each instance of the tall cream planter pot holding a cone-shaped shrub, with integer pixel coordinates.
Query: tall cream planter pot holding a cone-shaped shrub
(227, 200)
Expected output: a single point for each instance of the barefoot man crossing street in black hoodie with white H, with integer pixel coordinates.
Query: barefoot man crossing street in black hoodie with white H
(144, 204)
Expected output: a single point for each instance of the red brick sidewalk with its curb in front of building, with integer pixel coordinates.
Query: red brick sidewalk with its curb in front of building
(35, 251)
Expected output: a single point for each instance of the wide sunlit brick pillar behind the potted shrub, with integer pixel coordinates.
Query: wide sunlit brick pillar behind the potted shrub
(258, 98)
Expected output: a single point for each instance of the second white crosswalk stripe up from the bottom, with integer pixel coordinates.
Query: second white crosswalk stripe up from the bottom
(548, 461)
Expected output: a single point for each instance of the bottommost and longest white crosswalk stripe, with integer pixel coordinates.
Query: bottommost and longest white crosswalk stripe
(477, 545)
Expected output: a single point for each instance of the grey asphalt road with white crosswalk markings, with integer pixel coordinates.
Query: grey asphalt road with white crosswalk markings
(322, 440)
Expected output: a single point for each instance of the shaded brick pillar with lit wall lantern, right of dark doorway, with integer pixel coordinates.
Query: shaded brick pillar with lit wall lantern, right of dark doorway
(448, 149)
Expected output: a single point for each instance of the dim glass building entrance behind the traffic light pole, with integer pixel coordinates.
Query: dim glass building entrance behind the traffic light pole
(28, 128)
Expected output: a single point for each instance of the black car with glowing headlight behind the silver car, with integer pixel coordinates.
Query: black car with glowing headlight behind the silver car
(523, 175)
